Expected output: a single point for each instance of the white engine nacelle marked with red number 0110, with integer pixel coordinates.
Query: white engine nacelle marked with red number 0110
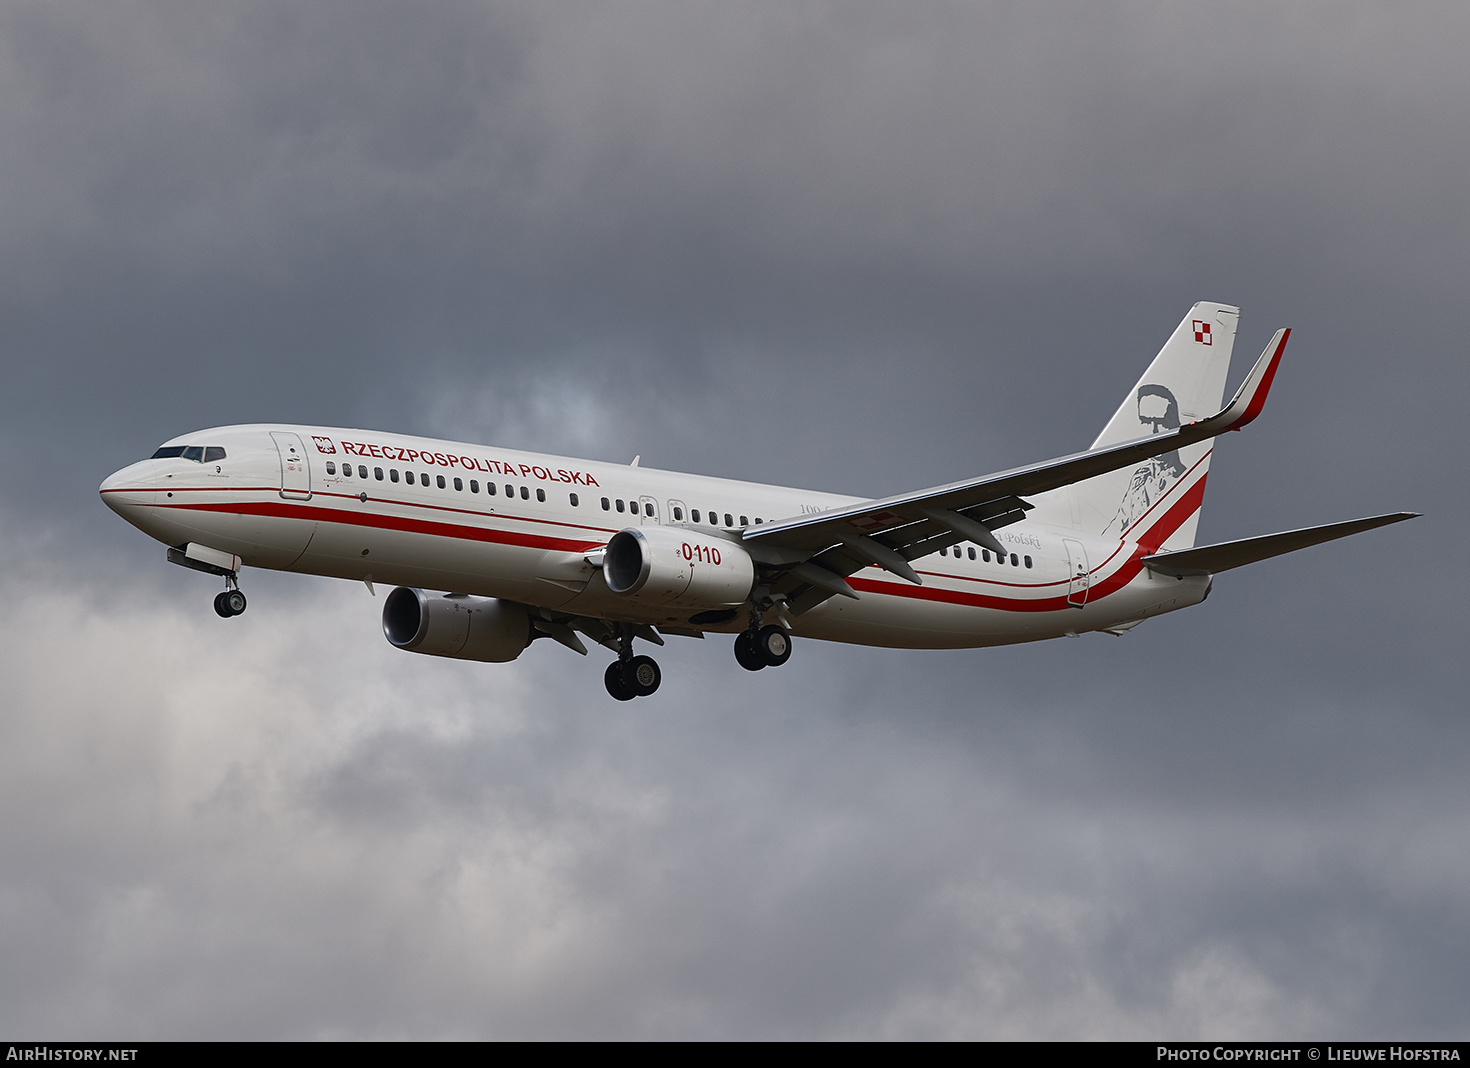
(677, 566)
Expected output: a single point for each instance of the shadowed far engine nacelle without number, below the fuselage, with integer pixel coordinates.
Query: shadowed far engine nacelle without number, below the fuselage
(459, 627)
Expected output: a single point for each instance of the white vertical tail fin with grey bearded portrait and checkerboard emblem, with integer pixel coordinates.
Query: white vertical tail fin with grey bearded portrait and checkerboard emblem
(1159, 502)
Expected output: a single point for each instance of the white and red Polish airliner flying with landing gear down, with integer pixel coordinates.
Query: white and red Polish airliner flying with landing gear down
(531, 546)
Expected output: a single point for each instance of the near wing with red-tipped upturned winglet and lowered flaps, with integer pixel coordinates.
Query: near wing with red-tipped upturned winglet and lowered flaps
(817, 553)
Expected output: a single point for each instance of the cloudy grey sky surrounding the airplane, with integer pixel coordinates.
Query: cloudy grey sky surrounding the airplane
(850, 246)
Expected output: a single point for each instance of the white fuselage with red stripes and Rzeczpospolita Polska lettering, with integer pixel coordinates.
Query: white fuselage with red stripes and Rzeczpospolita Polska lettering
(520, 527)
